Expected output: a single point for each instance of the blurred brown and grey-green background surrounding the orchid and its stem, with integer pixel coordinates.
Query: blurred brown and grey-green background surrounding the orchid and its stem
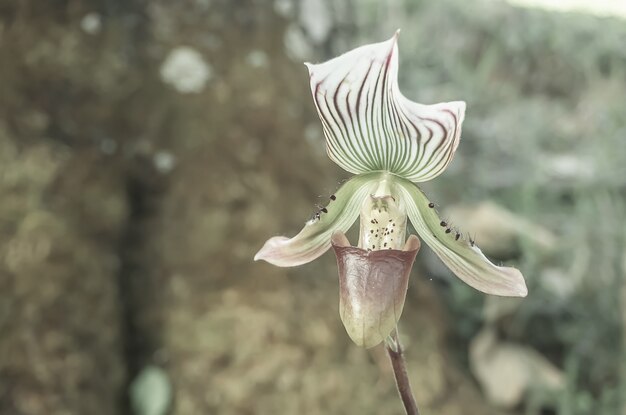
(149, 148)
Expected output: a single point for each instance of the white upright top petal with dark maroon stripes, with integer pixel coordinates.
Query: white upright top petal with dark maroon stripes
(369, 125)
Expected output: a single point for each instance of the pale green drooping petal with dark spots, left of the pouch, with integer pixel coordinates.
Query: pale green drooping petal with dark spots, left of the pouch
(314, 239)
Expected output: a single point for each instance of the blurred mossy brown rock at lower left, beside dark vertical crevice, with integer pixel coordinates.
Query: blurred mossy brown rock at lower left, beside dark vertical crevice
(60, 347)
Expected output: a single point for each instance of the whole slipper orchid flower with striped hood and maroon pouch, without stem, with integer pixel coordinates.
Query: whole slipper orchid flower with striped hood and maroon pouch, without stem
(390, 143)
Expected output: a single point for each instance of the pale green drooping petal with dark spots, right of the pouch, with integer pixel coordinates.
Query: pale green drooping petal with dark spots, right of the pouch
(459, 254)
